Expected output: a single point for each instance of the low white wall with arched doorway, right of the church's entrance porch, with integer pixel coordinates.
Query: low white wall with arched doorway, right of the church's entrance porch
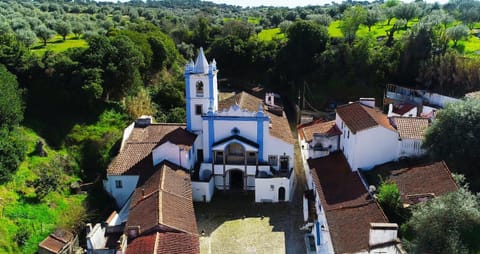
(265, 193)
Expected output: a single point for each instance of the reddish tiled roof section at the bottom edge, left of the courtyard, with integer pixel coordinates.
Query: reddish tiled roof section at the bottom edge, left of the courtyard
(165, 243)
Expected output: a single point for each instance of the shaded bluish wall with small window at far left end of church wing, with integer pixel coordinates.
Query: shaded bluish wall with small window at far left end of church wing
(121, 195)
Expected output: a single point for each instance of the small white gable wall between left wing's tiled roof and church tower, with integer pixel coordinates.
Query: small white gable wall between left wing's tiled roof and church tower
(173, 153)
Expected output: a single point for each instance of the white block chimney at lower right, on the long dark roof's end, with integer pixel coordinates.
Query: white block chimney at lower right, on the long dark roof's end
(382, 234)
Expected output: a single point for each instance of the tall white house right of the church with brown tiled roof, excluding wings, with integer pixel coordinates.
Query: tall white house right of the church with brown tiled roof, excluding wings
(368, 138)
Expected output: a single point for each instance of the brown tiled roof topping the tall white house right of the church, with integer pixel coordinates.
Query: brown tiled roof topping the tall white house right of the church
(359, 117)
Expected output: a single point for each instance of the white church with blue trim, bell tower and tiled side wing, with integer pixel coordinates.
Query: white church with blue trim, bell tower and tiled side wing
(240, 143)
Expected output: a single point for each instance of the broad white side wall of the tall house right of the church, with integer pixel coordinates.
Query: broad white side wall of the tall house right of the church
(374, 146)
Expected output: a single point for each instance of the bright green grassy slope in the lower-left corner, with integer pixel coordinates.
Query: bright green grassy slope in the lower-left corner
(20, 210)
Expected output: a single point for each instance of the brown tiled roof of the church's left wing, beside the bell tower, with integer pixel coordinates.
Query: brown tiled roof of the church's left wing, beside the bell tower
(135, 157)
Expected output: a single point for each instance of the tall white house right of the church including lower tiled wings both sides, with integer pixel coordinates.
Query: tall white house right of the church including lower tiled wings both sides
(366, 136)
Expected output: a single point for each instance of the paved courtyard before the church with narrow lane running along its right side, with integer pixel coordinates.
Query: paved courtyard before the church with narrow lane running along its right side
(234, 223)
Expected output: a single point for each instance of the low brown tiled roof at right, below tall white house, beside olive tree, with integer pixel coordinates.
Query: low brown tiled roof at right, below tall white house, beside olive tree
(433, 178)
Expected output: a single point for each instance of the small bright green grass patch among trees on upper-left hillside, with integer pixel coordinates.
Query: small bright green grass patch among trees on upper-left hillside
(56, 44)
